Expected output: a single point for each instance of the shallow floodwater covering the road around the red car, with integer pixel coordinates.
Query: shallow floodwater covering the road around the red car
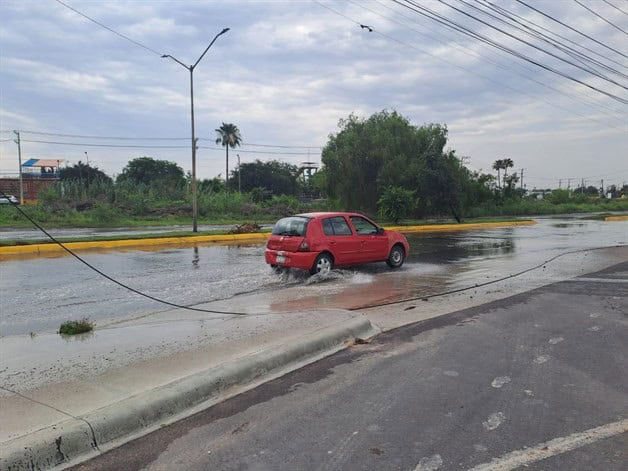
(39, 293)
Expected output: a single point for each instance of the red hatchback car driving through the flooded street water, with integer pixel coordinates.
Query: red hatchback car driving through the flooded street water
(318, 242)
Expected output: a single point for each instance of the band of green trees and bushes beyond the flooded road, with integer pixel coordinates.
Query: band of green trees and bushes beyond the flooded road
(383, 166)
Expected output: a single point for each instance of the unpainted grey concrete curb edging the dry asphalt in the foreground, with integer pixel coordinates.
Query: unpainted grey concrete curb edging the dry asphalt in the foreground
(78, 438)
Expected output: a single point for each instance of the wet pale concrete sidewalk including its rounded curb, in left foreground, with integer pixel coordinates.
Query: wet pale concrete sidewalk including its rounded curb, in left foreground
(65, 398)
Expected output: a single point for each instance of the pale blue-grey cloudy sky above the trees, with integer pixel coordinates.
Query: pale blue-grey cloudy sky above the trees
(286, 72)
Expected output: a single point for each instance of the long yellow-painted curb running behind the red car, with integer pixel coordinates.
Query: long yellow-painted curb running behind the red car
(229, 239)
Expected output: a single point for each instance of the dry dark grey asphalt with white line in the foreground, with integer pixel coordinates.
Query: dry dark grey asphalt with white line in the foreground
(542, 374)
